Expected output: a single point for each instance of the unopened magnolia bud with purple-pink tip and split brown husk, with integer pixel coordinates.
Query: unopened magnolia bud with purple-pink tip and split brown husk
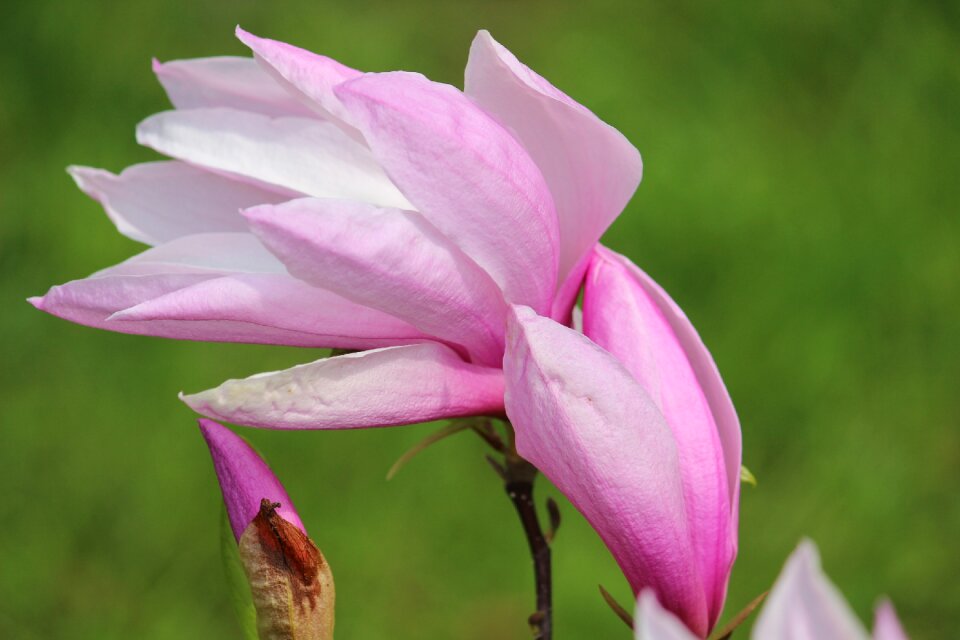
(289, 578)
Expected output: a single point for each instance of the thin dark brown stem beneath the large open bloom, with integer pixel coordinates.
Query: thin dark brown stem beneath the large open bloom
(518, 481)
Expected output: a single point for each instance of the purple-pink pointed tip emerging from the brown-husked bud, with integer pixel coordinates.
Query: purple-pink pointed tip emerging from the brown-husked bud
(245, 478)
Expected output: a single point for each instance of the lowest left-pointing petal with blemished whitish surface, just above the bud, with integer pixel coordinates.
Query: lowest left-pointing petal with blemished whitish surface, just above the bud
(383, 387)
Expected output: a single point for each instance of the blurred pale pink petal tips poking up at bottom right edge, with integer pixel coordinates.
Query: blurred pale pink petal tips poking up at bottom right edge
(803, 605)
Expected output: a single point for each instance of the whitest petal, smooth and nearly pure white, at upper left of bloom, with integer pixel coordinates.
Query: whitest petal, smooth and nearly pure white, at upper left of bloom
(297, 155)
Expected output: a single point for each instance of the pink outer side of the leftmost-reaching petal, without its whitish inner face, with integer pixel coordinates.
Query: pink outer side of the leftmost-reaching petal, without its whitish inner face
(250, 309)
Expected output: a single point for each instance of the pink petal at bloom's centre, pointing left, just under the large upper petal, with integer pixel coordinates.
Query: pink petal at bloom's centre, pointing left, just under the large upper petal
(391, 260)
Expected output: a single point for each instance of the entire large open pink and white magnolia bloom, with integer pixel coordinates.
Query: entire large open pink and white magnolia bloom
(444, 235)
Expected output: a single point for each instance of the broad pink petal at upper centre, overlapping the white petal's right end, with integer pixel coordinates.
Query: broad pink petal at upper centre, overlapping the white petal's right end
(465, 174)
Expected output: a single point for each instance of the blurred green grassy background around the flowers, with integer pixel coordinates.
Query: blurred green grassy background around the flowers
(800, 201)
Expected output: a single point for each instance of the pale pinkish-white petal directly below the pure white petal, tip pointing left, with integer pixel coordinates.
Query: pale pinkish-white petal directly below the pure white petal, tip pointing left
(156, 202)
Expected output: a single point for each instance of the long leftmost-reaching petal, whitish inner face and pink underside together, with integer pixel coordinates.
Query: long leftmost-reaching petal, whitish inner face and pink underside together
(224, 288)
